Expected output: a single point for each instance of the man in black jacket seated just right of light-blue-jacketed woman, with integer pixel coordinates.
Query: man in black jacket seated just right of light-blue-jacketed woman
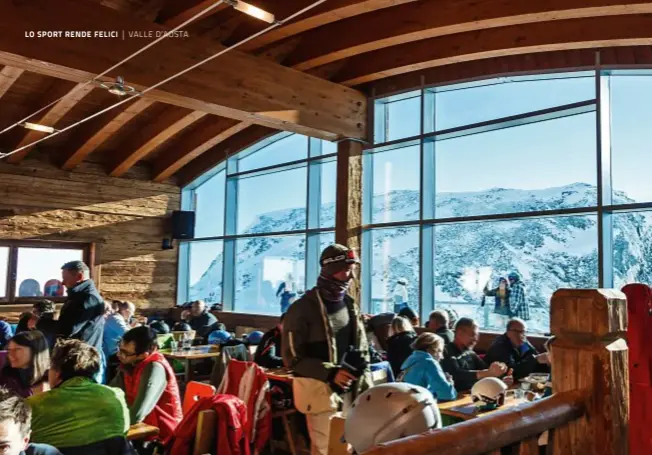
(462, 363)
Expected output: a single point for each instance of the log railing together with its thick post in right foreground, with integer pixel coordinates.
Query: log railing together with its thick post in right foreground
(588, 414)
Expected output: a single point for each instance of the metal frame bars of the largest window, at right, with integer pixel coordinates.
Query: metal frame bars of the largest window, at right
(603, 208)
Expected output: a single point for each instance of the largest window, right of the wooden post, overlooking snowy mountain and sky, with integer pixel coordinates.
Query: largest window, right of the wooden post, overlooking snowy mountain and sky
(544, 177)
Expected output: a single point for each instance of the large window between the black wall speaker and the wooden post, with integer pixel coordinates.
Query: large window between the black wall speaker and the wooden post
(263, 217)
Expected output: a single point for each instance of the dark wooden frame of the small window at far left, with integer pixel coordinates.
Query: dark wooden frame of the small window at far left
(88, 255)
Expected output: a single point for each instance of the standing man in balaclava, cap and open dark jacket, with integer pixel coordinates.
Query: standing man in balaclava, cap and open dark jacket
(325, 345)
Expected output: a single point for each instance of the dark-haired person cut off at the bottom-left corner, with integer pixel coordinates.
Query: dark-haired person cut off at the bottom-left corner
(15, 428)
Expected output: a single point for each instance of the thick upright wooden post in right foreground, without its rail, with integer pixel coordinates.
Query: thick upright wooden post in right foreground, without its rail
(591, 353)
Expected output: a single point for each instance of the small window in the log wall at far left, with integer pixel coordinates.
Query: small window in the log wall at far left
(32, 269)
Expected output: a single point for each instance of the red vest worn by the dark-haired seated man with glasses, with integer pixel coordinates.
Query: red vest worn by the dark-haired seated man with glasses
(167, 413)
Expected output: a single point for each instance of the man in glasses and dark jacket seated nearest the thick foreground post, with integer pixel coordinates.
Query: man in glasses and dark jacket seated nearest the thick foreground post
(513, 349)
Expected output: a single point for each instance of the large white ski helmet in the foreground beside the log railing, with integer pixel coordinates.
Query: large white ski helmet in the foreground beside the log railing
(390, 411)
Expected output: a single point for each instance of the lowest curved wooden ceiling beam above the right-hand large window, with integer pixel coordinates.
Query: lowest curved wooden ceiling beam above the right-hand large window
(610, 31)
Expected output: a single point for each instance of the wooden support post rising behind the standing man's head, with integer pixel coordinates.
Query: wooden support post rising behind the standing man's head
(348, 205)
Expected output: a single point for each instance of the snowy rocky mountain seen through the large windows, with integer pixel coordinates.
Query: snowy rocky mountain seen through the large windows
(549, 252)
